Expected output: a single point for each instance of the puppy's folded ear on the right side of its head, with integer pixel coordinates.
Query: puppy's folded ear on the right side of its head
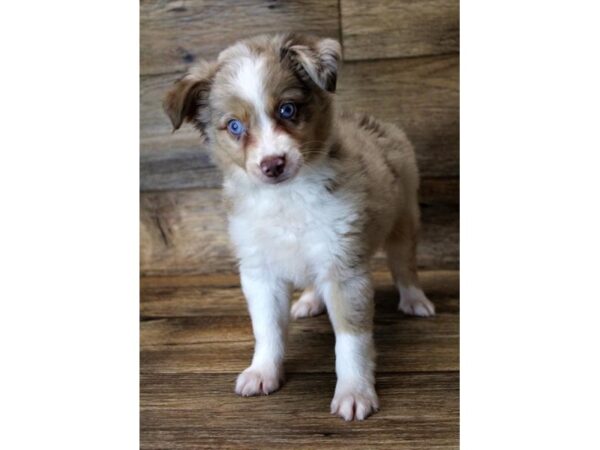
(314, 59)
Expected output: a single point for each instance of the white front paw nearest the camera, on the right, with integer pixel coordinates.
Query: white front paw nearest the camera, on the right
(354, 403)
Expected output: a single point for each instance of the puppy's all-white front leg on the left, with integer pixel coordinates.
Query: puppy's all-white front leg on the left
(268, 302)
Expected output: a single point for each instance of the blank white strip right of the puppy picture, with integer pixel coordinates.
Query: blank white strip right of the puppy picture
(530, 225)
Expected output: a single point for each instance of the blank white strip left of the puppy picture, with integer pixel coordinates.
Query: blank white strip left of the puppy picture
(69, 228)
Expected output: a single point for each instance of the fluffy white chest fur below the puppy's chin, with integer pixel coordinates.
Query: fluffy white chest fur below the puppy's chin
(293, 231)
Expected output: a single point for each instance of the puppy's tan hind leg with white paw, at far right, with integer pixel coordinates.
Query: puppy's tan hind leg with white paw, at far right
(401, 249)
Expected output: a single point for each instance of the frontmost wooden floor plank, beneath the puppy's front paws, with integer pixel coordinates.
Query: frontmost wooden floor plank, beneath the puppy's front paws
(418, 411)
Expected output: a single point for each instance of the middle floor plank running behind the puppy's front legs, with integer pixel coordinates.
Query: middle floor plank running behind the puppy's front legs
(223, 343)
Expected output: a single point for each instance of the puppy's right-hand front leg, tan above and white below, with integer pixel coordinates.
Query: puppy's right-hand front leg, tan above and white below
(350, 306)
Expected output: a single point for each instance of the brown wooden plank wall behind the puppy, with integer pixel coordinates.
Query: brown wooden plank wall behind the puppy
(401, 64)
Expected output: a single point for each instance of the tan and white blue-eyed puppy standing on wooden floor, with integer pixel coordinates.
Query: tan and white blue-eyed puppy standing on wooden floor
(311, 195)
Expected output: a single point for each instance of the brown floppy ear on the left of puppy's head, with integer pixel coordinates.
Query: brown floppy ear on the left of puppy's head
(187, 101)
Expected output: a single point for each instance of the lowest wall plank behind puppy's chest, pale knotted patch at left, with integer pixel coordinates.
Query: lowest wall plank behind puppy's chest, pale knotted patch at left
(185, 232)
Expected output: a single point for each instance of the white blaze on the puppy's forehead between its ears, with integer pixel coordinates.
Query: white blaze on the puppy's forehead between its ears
(250, 83)
